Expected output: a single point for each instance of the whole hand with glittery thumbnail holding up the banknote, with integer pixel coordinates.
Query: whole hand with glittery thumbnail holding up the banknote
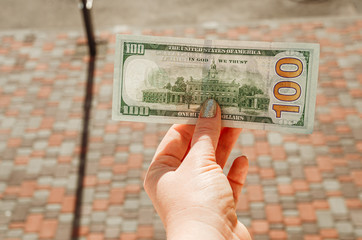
(186, 184)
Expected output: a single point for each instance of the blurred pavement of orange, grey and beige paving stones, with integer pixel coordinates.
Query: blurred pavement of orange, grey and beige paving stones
(306, 187)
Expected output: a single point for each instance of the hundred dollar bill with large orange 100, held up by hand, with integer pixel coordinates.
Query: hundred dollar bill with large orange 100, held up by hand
(258, 85)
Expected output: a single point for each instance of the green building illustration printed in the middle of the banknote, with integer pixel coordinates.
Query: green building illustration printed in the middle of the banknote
(228, 94)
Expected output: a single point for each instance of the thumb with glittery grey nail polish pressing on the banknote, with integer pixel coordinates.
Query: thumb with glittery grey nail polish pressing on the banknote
(207, 130)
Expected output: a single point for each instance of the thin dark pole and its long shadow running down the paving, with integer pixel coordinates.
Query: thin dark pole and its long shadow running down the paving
(85, 6)
